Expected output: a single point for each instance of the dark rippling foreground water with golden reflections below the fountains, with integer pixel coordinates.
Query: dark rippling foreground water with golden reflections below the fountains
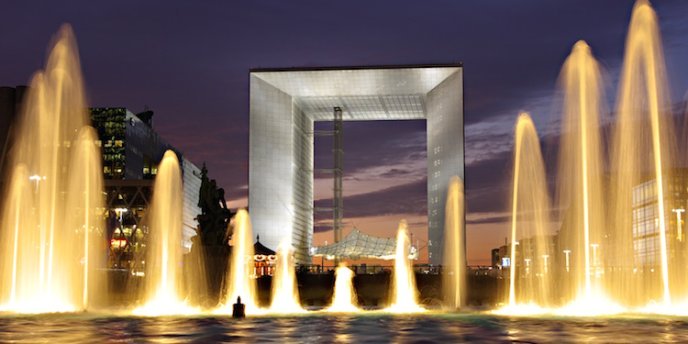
(367, 328)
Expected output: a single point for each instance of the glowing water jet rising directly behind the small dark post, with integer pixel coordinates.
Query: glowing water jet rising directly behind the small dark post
(240, 282)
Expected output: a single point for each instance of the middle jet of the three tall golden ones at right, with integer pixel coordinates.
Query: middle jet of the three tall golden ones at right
(581, 166)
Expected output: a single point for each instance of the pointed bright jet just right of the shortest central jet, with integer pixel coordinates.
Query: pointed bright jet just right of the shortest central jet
(404, 294)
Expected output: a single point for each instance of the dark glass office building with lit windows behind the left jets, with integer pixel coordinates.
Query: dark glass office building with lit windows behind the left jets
(131, 152)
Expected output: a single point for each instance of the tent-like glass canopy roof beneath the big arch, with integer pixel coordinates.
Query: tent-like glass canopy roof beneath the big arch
(358, 245)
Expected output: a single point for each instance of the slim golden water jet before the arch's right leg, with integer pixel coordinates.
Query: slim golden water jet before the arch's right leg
(454, 269)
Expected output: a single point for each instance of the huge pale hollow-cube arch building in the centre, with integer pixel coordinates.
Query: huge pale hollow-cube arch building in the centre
(284, 104)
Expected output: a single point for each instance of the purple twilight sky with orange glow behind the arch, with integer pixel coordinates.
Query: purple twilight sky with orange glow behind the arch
(188, 61)
